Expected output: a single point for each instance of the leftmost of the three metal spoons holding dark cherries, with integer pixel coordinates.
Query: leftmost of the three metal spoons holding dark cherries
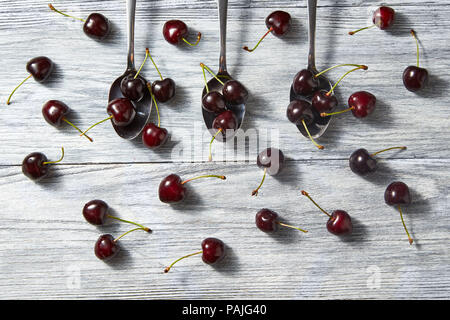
(144, 106)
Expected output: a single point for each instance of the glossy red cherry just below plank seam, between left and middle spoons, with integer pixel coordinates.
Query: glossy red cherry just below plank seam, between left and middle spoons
(172, 189)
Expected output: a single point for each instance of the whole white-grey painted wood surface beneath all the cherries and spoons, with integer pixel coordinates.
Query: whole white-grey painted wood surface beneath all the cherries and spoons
(46, 247)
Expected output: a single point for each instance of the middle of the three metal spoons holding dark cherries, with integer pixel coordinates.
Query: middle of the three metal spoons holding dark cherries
(214, 85)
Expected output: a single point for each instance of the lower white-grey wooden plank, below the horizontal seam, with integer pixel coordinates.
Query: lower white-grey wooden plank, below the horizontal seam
(46, 247)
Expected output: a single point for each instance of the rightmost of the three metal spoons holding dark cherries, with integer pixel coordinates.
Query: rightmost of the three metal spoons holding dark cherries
(320, 124)
